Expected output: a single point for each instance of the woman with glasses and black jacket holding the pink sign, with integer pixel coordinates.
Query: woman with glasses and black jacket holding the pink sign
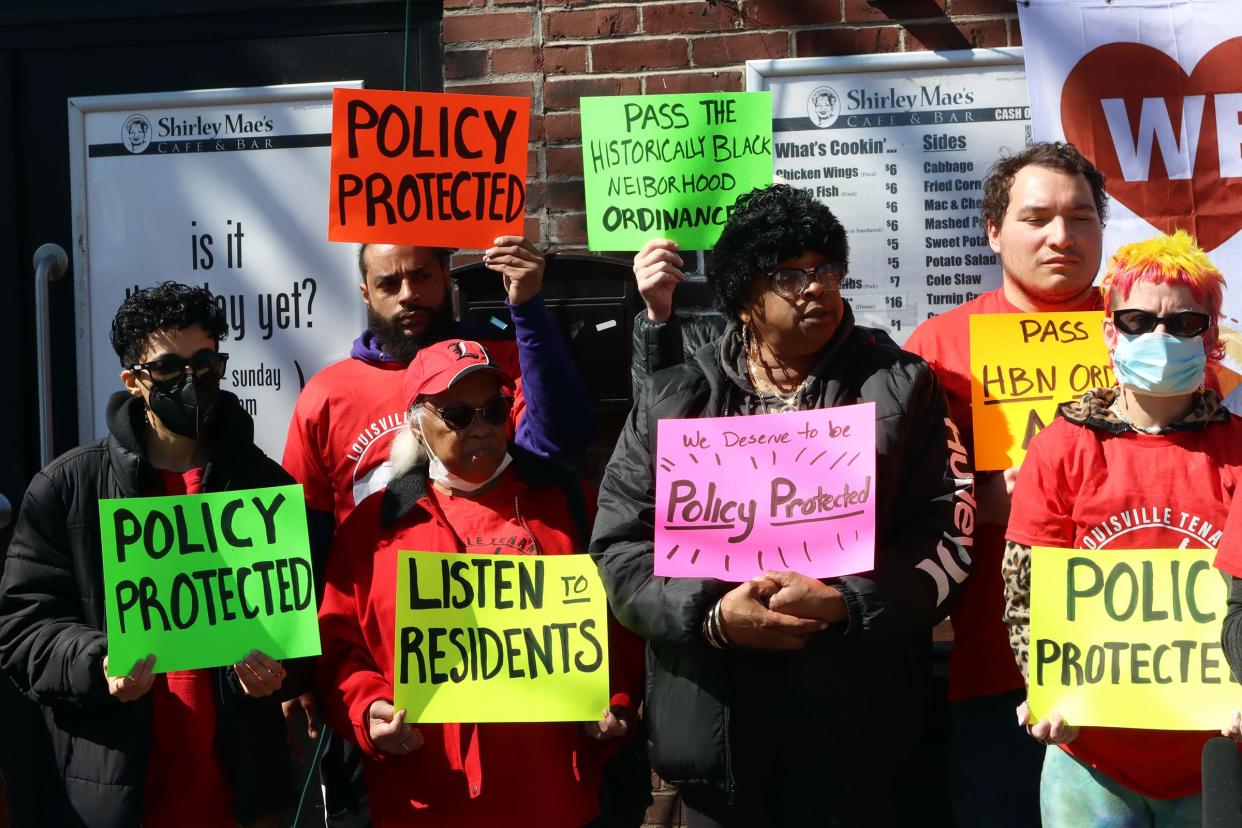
(788, 700)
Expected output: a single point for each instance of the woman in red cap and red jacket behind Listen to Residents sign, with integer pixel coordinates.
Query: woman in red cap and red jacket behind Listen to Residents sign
(459, 486)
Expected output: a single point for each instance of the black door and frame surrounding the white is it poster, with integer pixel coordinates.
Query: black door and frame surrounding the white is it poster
(57, 50)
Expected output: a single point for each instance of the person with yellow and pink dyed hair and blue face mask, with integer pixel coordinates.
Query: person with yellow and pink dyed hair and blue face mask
(1149, 464)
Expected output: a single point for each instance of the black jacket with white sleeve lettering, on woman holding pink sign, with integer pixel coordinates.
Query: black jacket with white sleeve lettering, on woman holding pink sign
(858, 690)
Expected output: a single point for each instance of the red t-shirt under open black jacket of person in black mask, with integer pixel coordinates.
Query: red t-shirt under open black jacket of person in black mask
(186, 776)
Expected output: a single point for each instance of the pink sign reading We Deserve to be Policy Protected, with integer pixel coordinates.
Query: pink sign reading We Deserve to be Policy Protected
(740, 496)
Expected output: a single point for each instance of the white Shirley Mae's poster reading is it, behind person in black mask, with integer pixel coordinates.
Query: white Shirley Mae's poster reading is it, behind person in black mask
(225, 189)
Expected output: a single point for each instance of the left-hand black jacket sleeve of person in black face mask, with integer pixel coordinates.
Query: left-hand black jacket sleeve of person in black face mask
(47, 646)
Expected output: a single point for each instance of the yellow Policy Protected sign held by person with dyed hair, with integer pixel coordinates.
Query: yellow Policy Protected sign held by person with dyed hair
(1130, 639)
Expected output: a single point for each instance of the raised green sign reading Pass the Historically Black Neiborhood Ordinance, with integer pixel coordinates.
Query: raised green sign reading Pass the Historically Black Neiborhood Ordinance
(671, 166)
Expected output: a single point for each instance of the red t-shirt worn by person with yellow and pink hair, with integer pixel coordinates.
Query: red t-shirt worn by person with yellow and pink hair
(1086, 488)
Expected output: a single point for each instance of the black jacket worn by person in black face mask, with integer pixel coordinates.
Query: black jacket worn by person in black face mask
(53, 636)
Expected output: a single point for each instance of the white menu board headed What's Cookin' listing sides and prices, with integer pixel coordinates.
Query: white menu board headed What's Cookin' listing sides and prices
(899, 147)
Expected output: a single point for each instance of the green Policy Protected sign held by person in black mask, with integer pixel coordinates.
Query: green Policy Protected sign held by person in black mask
(201, 580)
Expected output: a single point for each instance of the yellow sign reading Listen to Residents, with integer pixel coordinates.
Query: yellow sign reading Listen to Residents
(500, 639)
